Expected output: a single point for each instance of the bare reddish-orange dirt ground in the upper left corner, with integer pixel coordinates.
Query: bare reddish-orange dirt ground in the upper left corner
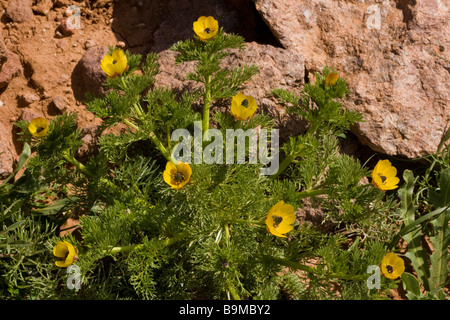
(48, 59)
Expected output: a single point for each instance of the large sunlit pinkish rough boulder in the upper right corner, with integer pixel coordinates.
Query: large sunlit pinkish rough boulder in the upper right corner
(387, 53)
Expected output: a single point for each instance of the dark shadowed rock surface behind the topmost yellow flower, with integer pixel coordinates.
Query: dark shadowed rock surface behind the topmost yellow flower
(156, 25)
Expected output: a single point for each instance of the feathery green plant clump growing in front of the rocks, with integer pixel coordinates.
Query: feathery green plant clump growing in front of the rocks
(138, 237)
